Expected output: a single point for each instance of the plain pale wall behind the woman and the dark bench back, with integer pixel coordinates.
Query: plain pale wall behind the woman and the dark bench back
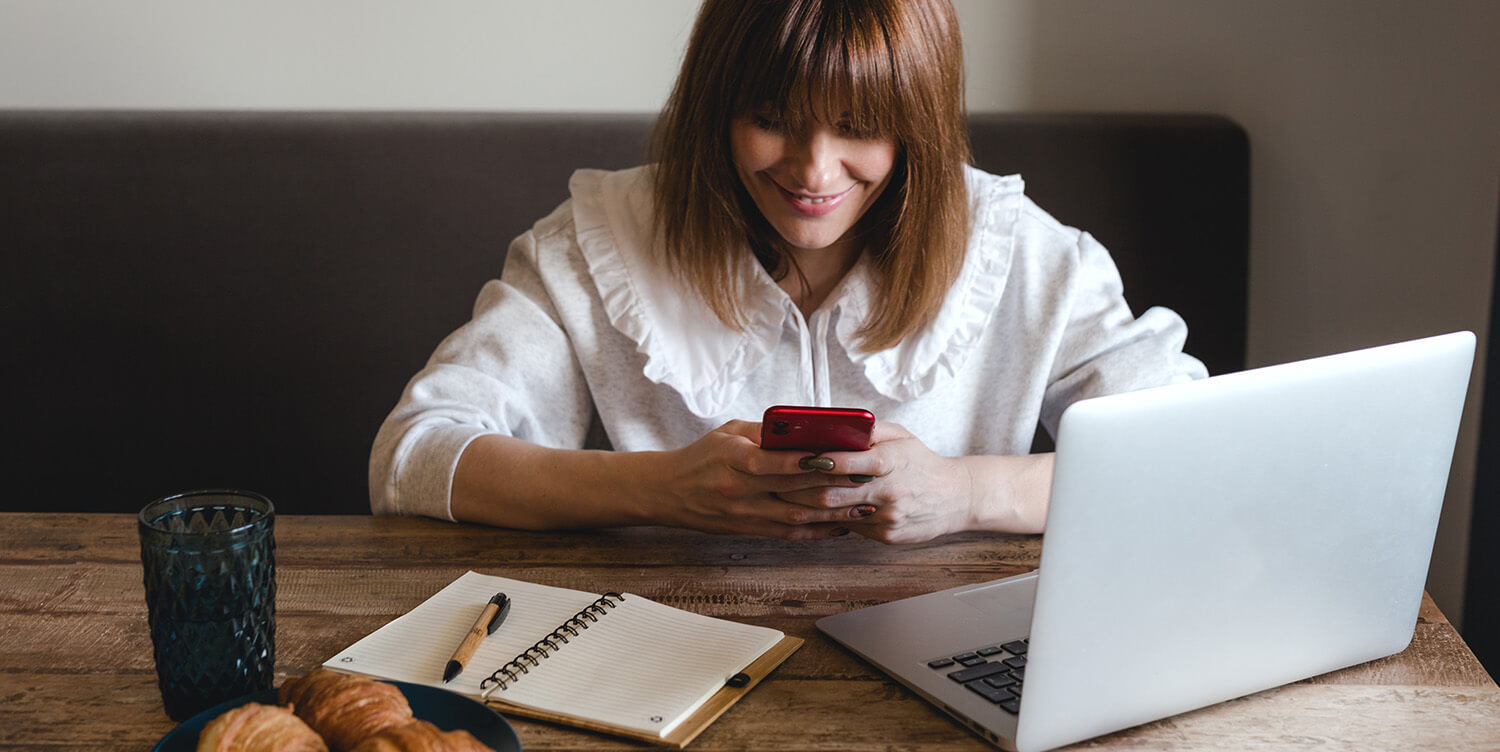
(1375, 124)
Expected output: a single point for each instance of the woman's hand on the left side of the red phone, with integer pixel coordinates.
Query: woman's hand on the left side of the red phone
(727, 484)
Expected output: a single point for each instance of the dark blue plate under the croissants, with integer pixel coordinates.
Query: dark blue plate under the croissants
(437, 706)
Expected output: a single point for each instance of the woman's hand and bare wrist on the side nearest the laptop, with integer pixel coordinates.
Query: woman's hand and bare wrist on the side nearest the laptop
(901, 492)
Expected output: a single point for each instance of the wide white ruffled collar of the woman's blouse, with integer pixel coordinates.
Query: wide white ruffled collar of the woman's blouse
(691, 350)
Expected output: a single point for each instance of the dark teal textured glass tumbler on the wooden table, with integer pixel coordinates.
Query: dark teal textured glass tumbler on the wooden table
(211, 595)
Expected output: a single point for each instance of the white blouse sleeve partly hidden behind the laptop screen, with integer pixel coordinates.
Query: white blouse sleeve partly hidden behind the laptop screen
(1105, 349)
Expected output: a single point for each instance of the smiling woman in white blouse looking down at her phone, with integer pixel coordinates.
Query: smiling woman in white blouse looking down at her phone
(809, 233)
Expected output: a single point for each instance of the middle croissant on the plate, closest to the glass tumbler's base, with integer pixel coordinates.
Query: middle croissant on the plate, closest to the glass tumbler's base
(343, 708)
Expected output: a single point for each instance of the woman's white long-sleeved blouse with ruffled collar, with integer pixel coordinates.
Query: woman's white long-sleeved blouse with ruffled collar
(587, 340)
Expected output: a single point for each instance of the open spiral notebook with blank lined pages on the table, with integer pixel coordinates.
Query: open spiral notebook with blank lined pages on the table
(610, 663)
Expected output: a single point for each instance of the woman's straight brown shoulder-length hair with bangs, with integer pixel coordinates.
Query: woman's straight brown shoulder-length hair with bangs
(901, 67)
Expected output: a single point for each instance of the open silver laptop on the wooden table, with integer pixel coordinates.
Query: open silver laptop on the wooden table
(1205, 541)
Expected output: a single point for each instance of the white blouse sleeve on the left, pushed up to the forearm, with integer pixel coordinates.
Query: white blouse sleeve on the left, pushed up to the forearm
(511, 371)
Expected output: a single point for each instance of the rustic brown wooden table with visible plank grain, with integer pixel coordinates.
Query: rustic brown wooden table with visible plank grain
(76, 657)
